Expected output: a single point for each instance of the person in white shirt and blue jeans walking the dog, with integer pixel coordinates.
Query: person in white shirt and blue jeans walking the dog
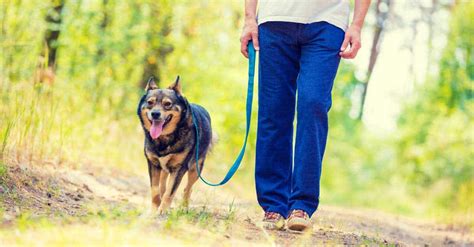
(300, 43)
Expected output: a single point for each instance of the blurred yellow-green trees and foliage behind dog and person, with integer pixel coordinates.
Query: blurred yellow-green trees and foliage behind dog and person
(71, 74)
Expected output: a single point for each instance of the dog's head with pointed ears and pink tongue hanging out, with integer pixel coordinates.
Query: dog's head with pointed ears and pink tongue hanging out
(161, 110)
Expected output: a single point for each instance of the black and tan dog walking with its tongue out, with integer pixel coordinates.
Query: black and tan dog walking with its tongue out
(170, 141)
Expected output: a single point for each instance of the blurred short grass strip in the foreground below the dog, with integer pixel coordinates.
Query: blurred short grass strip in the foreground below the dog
(118, 225)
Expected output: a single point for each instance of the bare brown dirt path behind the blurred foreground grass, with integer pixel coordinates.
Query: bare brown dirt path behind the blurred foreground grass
(59, 191)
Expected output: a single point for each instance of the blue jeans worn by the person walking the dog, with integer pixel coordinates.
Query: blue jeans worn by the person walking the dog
(294, 58)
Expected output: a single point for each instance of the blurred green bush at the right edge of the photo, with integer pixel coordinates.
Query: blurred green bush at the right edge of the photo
(435, 144)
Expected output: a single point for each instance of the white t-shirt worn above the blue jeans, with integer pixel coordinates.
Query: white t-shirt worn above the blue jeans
(335, 12)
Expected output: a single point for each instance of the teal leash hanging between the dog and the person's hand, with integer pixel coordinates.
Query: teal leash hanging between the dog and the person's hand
(235, 166)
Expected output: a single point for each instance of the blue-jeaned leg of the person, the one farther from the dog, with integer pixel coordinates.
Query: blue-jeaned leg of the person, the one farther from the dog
(319, 62)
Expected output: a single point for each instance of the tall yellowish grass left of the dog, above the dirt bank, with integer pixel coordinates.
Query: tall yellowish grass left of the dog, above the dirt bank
(41, 122)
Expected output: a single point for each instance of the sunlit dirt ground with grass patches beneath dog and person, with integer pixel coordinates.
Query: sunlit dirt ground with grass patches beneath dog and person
(70, 198)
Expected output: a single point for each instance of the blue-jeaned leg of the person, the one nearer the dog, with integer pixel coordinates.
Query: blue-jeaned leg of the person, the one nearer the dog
(278, 69)
